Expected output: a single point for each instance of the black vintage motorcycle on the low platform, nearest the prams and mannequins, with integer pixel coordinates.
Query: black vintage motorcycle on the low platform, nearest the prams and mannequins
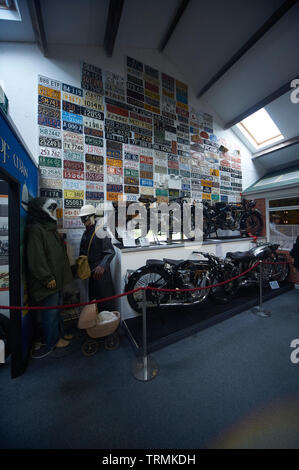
(182, 274)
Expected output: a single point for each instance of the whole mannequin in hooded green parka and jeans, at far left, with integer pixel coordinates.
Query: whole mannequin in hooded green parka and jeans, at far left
(48, 268)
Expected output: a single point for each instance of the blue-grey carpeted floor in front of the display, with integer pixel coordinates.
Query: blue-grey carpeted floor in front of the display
(232, 385)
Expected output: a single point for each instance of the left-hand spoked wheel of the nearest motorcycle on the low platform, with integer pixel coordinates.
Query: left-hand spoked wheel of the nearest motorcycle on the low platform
(150, 276)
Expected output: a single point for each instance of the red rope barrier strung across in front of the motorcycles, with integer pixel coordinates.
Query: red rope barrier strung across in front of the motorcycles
(107, 299)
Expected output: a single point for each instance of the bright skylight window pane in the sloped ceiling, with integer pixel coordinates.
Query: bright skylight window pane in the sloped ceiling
(260, 129)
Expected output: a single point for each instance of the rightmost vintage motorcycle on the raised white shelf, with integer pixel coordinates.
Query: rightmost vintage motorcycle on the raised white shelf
(243, 217)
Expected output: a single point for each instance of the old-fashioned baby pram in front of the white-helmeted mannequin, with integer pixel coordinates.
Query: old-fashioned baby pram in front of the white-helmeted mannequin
(98, 330)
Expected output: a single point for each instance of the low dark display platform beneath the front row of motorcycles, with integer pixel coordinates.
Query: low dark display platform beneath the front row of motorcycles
(166, 326)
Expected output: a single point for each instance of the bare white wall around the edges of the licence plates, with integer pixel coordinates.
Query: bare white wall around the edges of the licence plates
(20, 65)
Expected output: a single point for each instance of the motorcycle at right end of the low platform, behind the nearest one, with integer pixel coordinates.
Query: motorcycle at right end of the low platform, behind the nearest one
(266, 252)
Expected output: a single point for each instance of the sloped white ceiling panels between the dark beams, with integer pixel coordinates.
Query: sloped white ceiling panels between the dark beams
(208, 34)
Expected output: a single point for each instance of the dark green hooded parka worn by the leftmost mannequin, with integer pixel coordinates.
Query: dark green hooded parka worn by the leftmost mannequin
(46, 255)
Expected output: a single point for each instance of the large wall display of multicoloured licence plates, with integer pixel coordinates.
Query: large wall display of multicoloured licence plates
(116, 138)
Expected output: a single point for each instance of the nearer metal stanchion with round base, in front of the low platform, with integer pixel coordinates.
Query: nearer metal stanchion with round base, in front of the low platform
(146, 367)
